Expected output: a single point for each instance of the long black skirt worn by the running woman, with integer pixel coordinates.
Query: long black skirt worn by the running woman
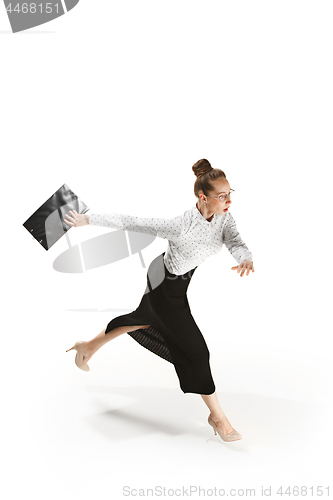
(173, 333)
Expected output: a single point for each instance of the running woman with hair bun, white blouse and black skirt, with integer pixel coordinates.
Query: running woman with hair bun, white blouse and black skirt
(163, 322)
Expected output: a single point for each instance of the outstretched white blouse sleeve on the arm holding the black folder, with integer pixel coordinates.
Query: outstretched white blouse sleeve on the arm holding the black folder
(169, 229)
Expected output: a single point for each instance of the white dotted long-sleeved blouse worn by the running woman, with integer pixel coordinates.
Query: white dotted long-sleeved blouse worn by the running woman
(191, 238)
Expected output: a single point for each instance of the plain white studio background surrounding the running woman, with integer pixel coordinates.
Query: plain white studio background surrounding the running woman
(118, 100)
